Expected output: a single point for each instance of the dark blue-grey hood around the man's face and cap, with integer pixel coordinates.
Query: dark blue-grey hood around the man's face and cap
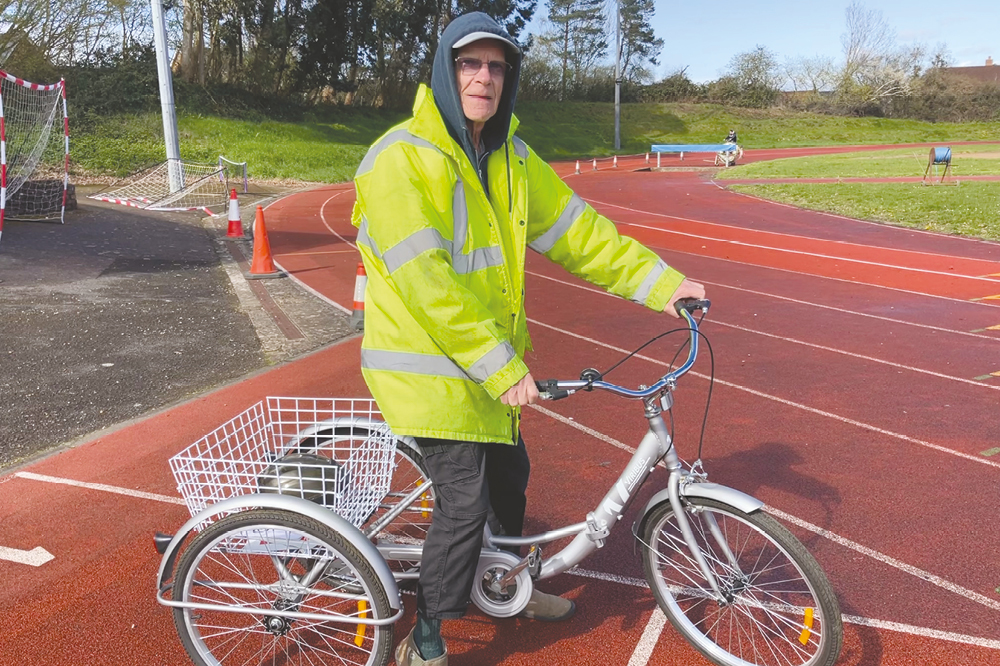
(445, 88)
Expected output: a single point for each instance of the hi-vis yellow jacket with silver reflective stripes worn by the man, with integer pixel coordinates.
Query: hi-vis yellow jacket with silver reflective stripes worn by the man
(445, 326)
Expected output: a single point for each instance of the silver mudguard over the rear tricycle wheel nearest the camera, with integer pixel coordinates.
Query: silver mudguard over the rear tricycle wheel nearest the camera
(293, 505)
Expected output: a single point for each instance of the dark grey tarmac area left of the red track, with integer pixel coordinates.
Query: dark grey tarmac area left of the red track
(119, 312)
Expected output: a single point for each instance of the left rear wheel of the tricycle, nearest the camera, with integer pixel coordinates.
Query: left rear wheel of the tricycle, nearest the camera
(235, 564)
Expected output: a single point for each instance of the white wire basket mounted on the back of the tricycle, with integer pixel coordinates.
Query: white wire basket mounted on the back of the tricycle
(334, 451)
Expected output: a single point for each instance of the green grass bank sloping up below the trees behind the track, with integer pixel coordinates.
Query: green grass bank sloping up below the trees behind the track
(329, 146)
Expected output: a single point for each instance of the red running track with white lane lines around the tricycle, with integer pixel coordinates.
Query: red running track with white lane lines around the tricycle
(854, 395)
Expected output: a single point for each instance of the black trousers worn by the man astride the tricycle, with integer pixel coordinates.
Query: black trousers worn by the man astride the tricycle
(469, 479)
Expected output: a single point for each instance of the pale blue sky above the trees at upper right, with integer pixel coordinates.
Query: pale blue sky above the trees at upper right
(704, 36)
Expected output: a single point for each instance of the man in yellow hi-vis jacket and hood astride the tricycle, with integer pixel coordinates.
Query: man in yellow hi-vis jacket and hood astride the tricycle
(447, 204)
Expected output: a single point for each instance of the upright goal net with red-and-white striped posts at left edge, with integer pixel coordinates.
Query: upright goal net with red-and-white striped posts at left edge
(34, 149)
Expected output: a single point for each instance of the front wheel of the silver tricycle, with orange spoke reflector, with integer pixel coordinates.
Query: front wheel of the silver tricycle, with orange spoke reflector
(778, 608)
